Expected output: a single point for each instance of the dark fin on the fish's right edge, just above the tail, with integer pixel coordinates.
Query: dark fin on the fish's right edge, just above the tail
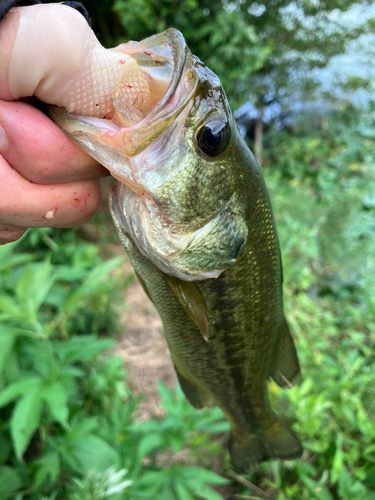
(285, 367)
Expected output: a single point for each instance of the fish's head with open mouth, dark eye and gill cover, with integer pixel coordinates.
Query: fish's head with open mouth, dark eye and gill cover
(179, 190)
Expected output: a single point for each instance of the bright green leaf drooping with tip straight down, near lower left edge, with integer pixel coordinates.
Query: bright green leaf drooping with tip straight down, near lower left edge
(25, 420)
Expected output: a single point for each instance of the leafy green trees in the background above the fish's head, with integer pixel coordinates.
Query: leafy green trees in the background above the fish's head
(261, 51)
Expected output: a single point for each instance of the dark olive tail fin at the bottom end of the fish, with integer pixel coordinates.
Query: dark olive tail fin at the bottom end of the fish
(277, 440)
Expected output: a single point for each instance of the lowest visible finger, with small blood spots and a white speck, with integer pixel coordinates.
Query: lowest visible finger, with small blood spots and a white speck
(24, 204)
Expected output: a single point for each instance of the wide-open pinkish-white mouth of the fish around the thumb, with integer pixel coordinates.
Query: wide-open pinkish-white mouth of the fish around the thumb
(164, 57)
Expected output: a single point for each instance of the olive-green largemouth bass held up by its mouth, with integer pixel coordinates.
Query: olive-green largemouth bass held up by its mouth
(193, 213)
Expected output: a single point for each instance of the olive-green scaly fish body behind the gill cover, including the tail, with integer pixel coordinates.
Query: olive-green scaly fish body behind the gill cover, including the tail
(246, 324)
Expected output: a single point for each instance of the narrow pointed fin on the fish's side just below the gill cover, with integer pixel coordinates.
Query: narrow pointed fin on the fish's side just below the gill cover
(191, 299)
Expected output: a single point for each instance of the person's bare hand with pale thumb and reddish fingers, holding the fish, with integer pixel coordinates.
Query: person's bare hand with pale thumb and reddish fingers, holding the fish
(45, 179)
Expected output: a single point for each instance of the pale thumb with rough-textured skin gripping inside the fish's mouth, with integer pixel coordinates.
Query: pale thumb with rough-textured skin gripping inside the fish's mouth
(50, 51)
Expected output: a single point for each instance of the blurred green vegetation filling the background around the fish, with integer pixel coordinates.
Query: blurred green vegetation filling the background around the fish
(68, 421)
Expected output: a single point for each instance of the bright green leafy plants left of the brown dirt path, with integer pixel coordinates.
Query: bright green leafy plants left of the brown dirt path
(66, 414)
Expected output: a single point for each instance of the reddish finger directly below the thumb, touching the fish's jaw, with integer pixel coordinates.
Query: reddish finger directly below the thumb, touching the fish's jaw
(40, 151)
